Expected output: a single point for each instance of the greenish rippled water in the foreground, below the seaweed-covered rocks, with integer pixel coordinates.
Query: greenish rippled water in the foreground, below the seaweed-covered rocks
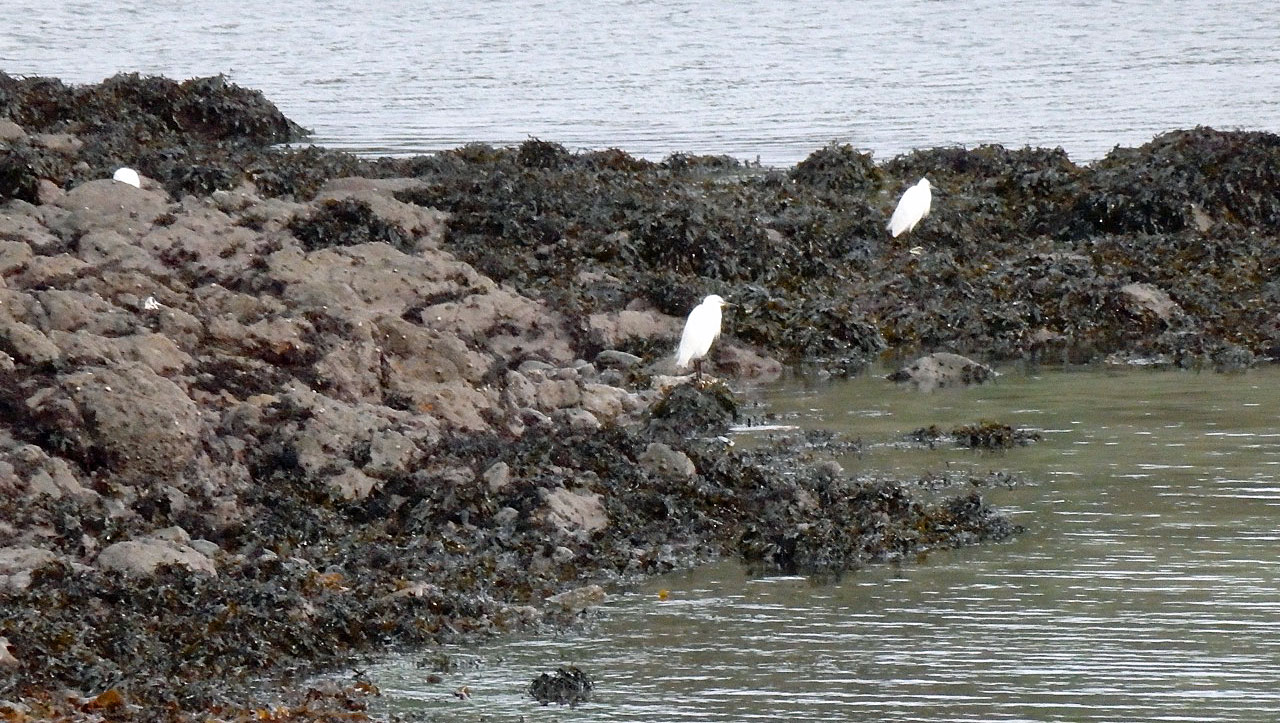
(1146, 588)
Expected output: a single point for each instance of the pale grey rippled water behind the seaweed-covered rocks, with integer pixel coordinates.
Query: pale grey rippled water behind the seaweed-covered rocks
(753, 79)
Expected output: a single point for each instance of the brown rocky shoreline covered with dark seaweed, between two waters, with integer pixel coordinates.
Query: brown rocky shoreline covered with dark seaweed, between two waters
(281, 406)
